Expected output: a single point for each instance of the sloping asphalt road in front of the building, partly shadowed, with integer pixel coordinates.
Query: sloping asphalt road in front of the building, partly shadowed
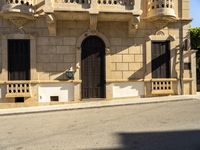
(158, 126)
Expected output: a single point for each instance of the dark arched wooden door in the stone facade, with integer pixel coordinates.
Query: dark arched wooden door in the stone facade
(93, 68)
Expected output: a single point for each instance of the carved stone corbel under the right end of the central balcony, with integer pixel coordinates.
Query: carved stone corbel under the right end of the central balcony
(133, 25)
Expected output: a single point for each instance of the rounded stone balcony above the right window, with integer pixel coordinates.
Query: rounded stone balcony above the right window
(161, 10)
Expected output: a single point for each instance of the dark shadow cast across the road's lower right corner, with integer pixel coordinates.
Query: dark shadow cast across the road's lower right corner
(168, 140)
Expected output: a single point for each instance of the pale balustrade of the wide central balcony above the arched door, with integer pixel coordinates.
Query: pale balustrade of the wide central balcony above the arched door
(121, 6)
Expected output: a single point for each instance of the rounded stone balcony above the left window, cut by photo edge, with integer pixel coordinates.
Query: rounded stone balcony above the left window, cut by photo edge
(18, 11)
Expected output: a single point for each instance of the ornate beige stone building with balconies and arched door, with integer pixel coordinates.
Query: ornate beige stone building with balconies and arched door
(68, 50)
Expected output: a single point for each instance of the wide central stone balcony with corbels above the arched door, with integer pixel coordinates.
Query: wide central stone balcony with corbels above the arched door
(94, 11)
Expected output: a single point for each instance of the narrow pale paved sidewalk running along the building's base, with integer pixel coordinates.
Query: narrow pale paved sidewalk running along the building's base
(96, 104)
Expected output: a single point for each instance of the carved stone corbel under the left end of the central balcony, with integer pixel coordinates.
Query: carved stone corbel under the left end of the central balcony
(51, 21)
